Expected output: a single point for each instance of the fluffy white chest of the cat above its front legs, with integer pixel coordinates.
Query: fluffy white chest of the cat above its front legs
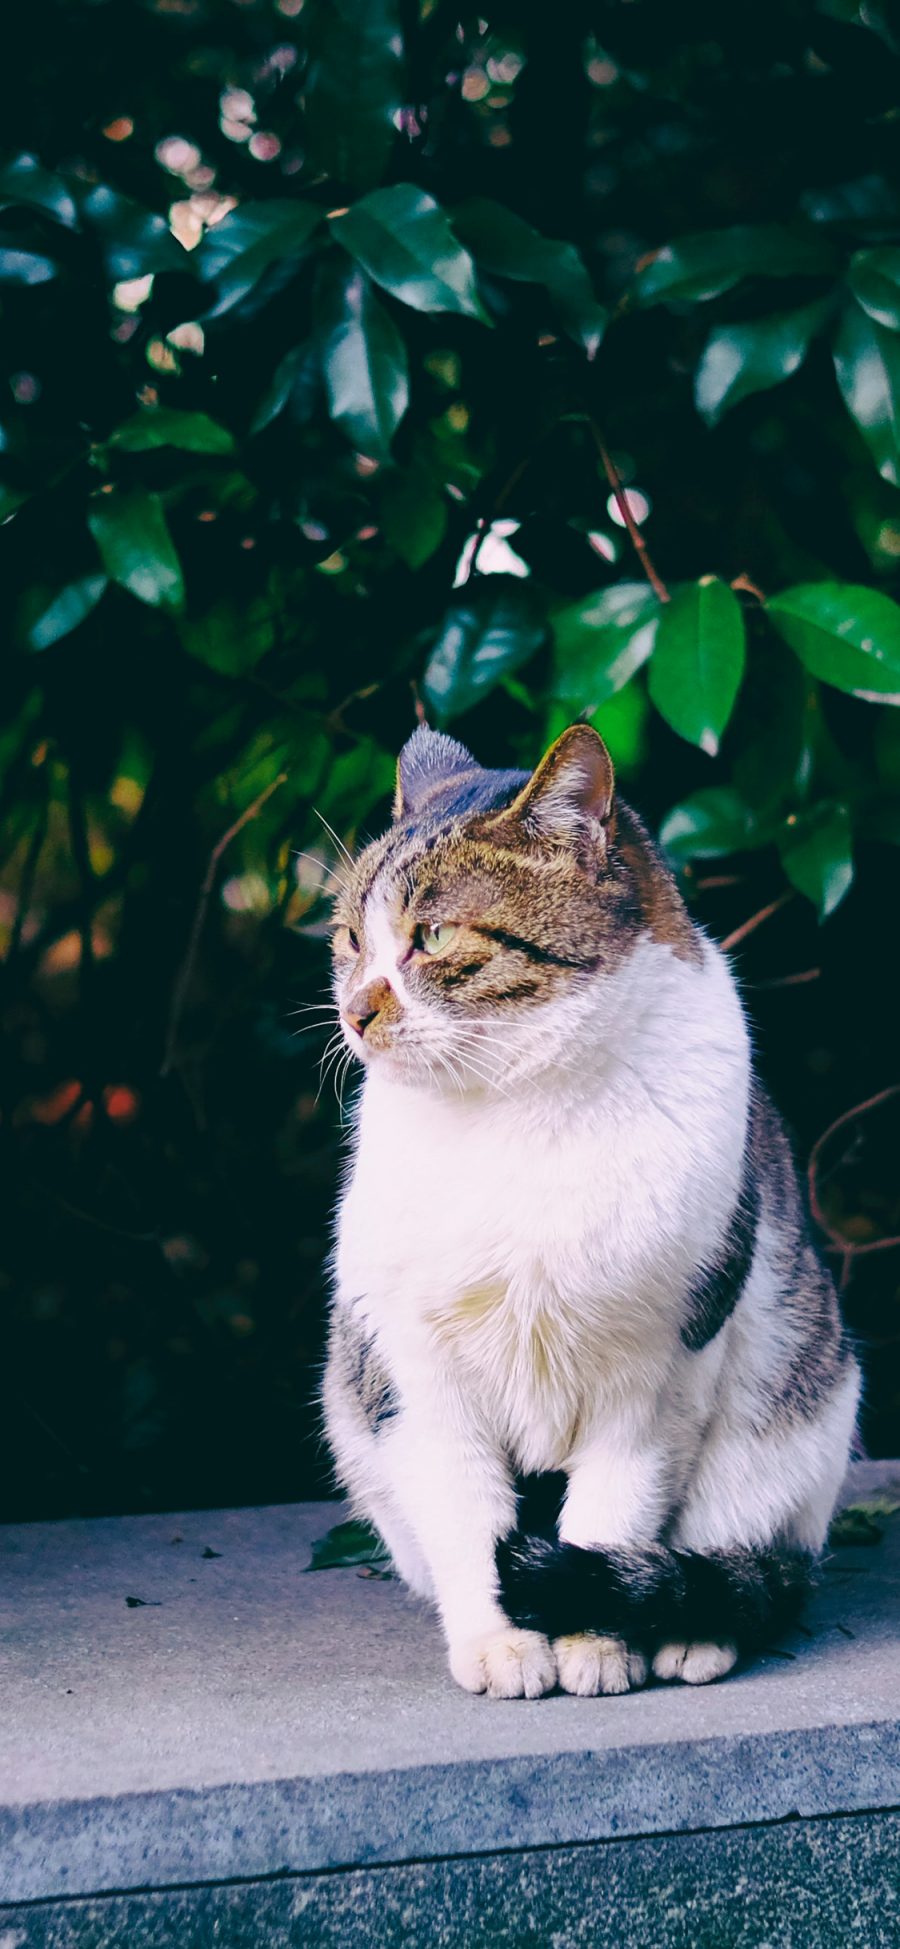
(529, 1250)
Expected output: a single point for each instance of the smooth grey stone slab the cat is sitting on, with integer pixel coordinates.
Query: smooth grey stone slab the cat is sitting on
(248, 1720)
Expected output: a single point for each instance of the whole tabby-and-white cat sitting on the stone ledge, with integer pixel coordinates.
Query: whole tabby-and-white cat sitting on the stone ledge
(572, 1244)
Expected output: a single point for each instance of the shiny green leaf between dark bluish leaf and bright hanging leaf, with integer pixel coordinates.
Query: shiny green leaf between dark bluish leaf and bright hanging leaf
(601, 642)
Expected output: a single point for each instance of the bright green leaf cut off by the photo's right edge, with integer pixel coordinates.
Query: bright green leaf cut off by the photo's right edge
(844, 634)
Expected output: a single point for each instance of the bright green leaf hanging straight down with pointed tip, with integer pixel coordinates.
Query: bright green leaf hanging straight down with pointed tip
(698, 662)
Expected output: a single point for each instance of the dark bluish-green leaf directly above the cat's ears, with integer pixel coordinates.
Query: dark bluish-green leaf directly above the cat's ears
(494, 627)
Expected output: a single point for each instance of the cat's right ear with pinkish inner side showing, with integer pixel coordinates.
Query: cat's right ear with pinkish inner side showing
(572, 794)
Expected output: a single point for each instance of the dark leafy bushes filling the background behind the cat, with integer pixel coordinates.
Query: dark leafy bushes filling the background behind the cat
(237, 496)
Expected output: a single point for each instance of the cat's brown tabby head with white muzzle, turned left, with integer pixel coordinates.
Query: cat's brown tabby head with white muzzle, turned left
(472, 935)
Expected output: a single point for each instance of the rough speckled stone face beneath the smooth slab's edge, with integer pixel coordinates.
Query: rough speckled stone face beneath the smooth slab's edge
(804, 1886)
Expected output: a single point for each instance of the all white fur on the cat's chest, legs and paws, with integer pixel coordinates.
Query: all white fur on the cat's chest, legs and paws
(523, 1215)
